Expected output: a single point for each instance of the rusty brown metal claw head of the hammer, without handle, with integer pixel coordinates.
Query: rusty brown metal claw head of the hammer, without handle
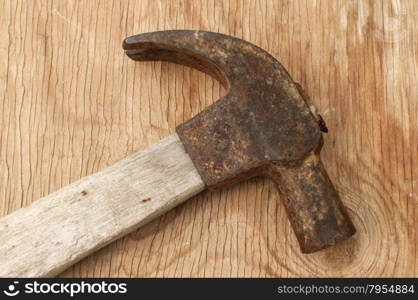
(263, 126)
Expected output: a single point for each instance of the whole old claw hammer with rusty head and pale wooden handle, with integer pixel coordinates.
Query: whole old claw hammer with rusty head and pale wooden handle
(262, 127)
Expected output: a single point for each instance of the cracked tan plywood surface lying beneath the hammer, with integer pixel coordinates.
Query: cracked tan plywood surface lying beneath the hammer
(72, 104)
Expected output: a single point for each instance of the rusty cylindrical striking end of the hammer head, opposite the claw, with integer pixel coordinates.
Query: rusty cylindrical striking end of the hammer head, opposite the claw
(315, 210)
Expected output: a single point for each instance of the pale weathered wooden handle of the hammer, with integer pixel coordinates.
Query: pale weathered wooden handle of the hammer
(58, 230)
